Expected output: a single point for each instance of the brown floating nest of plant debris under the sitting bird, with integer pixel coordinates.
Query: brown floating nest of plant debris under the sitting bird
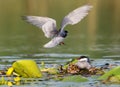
(75, 70)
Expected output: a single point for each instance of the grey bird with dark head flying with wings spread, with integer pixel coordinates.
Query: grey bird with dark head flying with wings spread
(48, 25)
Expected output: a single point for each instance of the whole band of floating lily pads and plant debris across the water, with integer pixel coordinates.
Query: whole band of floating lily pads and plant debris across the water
(70, 72)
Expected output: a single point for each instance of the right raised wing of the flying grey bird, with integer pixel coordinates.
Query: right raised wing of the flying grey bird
(75, 16)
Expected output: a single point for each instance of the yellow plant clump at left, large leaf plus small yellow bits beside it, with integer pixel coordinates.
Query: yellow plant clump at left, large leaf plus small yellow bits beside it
(20, 68)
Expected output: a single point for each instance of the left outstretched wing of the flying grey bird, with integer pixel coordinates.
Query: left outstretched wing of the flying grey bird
(48, 25)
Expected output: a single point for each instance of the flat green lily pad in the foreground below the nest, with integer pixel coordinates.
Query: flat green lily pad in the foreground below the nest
(75, 78)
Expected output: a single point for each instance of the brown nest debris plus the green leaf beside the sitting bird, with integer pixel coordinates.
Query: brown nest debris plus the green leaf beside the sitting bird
(72, 68)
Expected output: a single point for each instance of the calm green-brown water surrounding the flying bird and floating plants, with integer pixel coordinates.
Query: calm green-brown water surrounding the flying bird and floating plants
(97, 36)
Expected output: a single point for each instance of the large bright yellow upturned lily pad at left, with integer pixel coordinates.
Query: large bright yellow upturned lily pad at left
(27, 68)
